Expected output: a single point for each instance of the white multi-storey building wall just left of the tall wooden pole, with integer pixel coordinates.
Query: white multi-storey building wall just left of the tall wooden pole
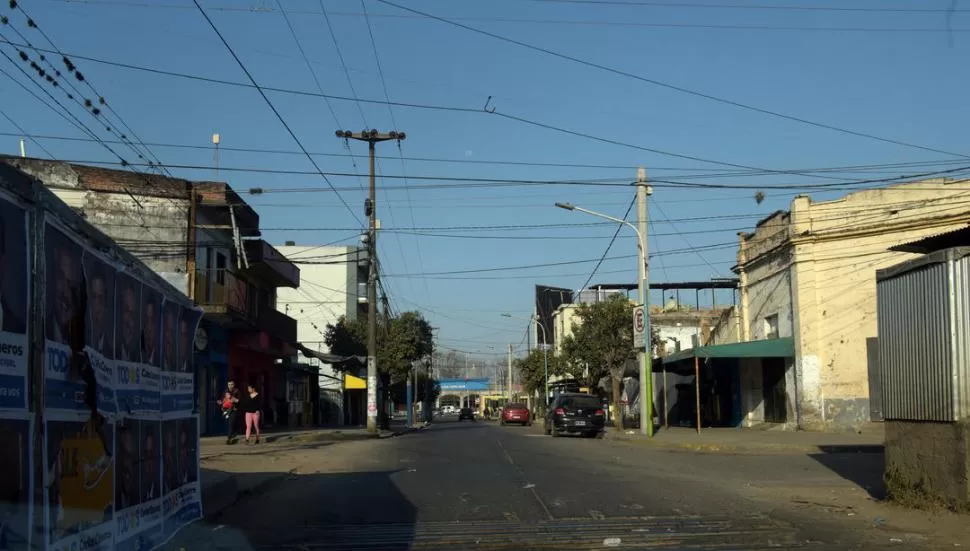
(326, 292)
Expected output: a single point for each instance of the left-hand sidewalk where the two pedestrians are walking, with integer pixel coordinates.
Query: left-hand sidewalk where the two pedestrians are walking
(229, 472)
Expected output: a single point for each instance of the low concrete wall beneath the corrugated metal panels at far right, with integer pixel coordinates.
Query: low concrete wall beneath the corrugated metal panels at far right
(928, 461)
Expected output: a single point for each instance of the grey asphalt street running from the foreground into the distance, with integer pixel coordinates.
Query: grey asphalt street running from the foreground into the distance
(482, 486)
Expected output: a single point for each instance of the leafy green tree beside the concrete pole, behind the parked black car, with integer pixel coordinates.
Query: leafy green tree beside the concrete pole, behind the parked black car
(602, 343)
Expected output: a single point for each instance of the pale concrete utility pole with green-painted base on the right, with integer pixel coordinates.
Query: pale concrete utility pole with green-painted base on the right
(646, 358)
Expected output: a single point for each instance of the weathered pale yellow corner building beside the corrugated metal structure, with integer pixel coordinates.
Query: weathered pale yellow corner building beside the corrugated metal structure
(809, 273)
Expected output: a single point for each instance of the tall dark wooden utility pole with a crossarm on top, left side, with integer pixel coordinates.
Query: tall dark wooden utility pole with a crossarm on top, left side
(372, 137)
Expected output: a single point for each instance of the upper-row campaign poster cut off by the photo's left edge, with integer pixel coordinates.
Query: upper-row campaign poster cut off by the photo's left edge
(14, 304)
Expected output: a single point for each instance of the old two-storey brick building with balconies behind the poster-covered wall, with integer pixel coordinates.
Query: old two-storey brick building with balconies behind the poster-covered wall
(204, 240)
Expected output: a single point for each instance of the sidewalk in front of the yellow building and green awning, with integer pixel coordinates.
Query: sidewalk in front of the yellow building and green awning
(756, 440)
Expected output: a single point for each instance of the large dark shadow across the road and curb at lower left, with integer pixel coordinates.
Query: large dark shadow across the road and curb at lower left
(359, 510)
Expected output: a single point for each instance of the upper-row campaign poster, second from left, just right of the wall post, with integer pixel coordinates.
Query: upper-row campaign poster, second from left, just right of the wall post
(64, 322)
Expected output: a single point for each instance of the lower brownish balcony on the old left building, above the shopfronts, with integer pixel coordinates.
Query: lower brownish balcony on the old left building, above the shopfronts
(229, 298)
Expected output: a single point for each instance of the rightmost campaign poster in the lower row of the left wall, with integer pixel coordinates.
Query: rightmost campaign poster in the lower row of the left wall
(182, 503)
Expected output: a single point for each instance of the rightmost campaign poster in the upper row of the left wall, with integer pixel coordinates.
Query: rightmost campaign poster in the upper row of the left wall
(178, 326)
